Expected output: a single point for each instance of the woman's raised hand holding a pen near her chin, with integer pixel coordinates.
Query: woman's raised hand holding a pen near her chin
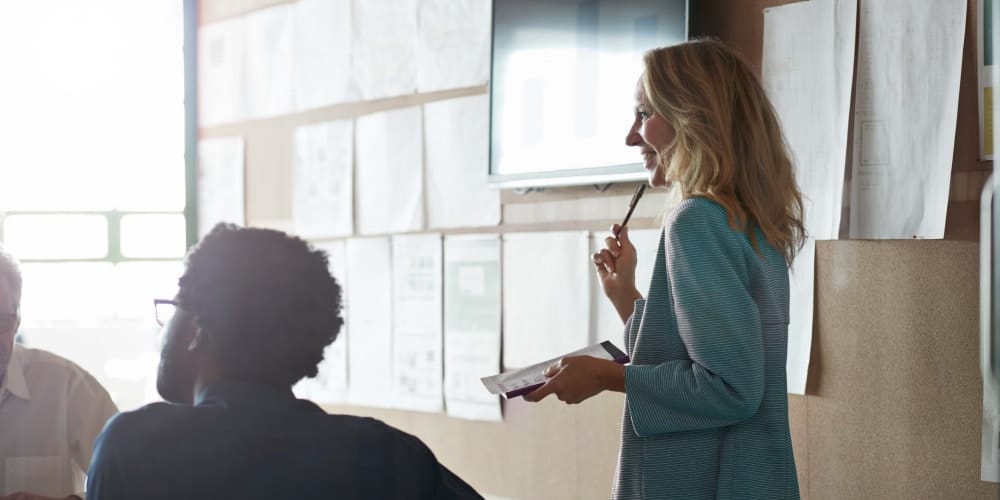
(615, 266)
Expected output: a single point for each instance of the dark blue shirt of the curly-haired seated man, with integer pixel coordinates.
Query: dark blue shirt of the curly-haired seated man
(252, 441)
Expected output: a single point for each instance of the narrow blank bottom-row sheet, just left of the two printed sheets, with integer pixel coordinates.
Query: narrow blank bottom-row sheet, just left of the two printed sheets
(369, 321)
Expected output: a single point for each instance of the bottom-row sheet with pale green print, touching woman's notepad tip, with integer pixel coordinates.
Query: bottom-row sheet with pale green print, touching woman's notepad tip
(471, 324)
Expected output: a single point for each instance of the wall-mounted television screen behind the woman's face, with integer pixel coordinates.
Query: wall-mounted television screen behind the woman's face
(562, 87)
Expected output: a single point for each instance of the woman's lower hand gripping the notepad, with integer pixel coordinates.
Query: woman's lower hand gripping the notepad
(577, 378)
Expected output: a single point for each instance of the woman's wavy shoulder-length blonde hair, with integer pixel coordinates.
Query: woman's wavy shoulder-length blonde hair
(728, 146)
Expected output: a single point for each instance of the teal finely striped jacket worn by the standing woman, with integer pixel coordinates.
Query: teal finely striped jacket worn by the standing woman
(706, 410)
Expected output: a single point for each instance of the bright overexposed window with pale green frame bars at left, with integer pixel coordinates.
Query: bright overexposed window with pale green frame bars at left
(92, 178)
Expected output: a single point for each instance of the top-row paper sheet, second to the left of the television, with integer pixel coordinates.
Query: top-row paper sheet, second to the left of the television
(383, 53)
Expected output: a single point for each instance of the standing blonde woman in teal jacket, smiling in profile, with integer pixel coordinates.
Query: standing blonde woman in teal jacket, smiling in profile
(706, 411)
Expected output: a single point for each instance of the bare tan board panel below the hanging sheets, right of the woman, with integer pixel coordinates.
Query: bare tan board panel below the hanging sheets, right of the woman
(896, 398)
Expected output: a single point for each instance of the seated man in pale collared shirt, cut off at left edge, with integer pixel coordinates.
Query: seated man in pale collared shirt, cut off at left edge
(51, 410)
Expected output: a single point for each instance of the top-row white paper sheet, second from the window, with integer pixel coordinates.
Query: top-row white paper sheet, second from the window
(269, 60)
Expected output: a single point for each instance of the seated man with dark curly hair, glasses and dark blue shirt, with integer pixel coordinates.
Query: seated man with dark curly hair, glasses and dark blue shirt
(254, 312)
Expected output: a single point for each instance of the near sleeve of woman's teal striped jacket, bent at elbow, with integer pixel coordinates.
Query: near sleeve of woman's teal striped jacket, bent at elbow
(719, 323)
